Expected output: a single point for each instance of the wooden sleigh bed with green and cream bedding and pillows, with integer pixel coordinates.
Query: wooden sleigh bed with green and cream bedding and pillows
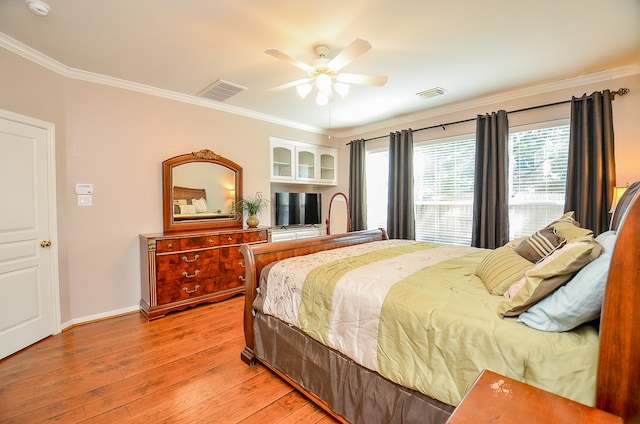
(423, 358)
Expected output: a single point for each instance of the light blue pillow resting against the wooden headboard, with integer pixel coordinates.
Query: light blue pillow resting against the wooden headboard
(580, 300)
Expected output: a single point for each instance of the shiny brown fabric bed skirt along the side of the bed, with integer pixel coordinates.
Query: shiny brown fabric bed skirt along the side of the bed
(353, 392)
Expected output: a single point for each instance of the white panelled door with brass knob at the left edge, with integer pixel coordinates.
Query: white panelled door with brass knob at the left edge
(29, 308)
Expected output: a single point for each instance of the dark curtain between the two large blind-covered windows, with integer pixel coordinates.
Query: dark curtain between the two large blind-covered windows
(490, 208)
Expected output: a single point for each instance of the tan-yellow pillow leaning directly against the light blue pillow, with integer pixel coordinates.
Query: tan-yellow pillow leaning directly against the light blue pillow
(548, 274)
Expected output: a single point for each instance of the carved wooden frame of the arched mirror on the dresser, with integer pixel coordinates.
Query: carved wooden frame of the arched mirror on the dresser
(233, 219)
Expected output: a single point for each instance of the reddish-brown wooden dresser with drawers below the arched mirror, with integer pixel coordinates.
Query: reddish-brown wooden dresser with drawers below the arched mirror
(185, 269)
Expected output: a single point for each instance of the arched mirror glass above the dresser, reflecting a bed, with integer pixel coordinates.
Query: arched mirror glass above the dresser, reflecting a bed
(202, 190)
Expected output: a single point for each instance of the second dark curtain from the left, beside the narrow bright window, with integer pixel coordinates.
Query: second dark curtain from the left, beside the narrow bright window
(400, 214)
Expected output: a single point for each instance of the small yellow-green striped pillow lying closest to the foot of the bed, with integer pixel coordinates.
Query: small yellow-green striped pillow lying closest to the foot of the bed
(501, 268)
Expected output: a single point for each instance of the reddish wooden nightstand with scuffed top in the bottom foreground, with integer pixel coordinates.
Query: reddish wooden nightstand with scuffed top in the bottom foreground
(497, 399)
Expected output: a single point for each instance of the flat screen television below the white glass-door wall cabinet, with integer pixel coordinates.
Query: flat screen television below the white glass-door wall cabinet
(298, 209)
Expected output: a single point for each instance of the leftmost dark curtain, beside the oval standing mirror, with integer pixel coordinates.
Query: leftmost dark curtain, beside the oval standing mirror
(357, 186)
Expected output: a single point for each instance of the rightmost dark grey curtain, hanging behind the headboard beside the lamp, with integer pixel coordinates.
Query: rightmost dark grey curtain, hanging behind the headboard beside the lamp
(591, 173)
